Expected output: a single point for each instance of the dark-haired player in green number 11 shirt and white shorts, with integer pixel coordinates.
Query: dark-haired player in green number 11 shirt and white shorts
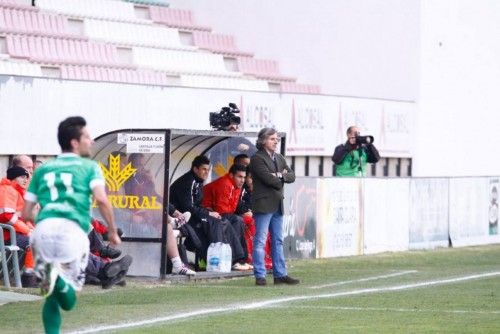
(64, 189)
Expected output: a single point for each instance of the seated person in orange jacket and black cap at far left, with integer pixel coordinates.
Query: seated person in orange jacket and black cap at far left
(12, 190)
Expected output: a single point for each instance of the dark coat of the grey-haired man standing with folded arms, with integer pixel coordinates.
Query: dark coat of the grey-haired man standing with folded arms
(267, 195)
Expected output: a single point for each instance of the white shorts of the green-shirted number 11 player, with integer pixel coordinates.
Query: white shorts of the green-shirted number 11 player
(62, 242)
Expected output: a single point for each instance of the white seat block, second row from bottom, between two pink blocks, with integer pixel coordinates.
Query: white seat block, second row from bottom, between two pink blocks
(173, 61)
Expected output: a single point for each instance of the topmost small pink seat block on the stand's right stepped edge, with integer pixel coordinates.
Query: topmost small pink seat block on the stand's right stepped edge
(177, 18)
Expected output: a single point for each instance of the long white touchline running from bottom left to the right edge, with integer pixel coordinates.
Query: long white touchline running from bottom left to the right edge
(277, 301)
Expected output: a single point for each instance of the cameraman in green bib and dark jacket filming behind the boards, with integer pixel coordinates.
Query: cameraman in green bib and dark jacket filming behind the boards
(350, 158)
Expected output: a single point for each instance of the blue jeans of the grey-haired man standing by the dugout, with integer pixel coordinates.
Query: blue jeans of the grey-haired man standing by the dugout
(274, 223)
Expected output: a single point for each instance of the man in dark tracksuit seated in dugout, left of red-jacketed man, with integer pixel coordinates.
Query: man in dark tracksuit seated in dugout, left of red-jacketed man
(186, 195)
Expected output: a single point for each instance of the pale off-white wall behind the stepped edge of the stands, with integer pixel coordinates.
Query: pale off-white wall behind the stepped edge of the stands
(365, 48)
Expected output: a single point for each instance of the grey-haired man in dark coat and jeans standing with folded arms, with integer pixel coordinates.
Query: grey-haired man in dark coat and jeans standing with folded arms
(269, 172)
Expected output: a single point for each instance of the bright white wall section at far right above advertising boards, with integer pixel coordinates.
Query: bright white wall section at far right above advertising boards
(458, 127)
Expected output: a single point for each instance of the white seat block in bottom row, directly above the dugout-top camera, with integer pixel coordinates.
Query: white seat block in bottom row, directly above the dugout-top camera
(223, 83)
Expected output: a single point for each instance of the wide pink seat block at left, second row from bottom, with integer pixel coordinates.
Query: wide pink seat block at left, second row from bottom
(62, 51)
